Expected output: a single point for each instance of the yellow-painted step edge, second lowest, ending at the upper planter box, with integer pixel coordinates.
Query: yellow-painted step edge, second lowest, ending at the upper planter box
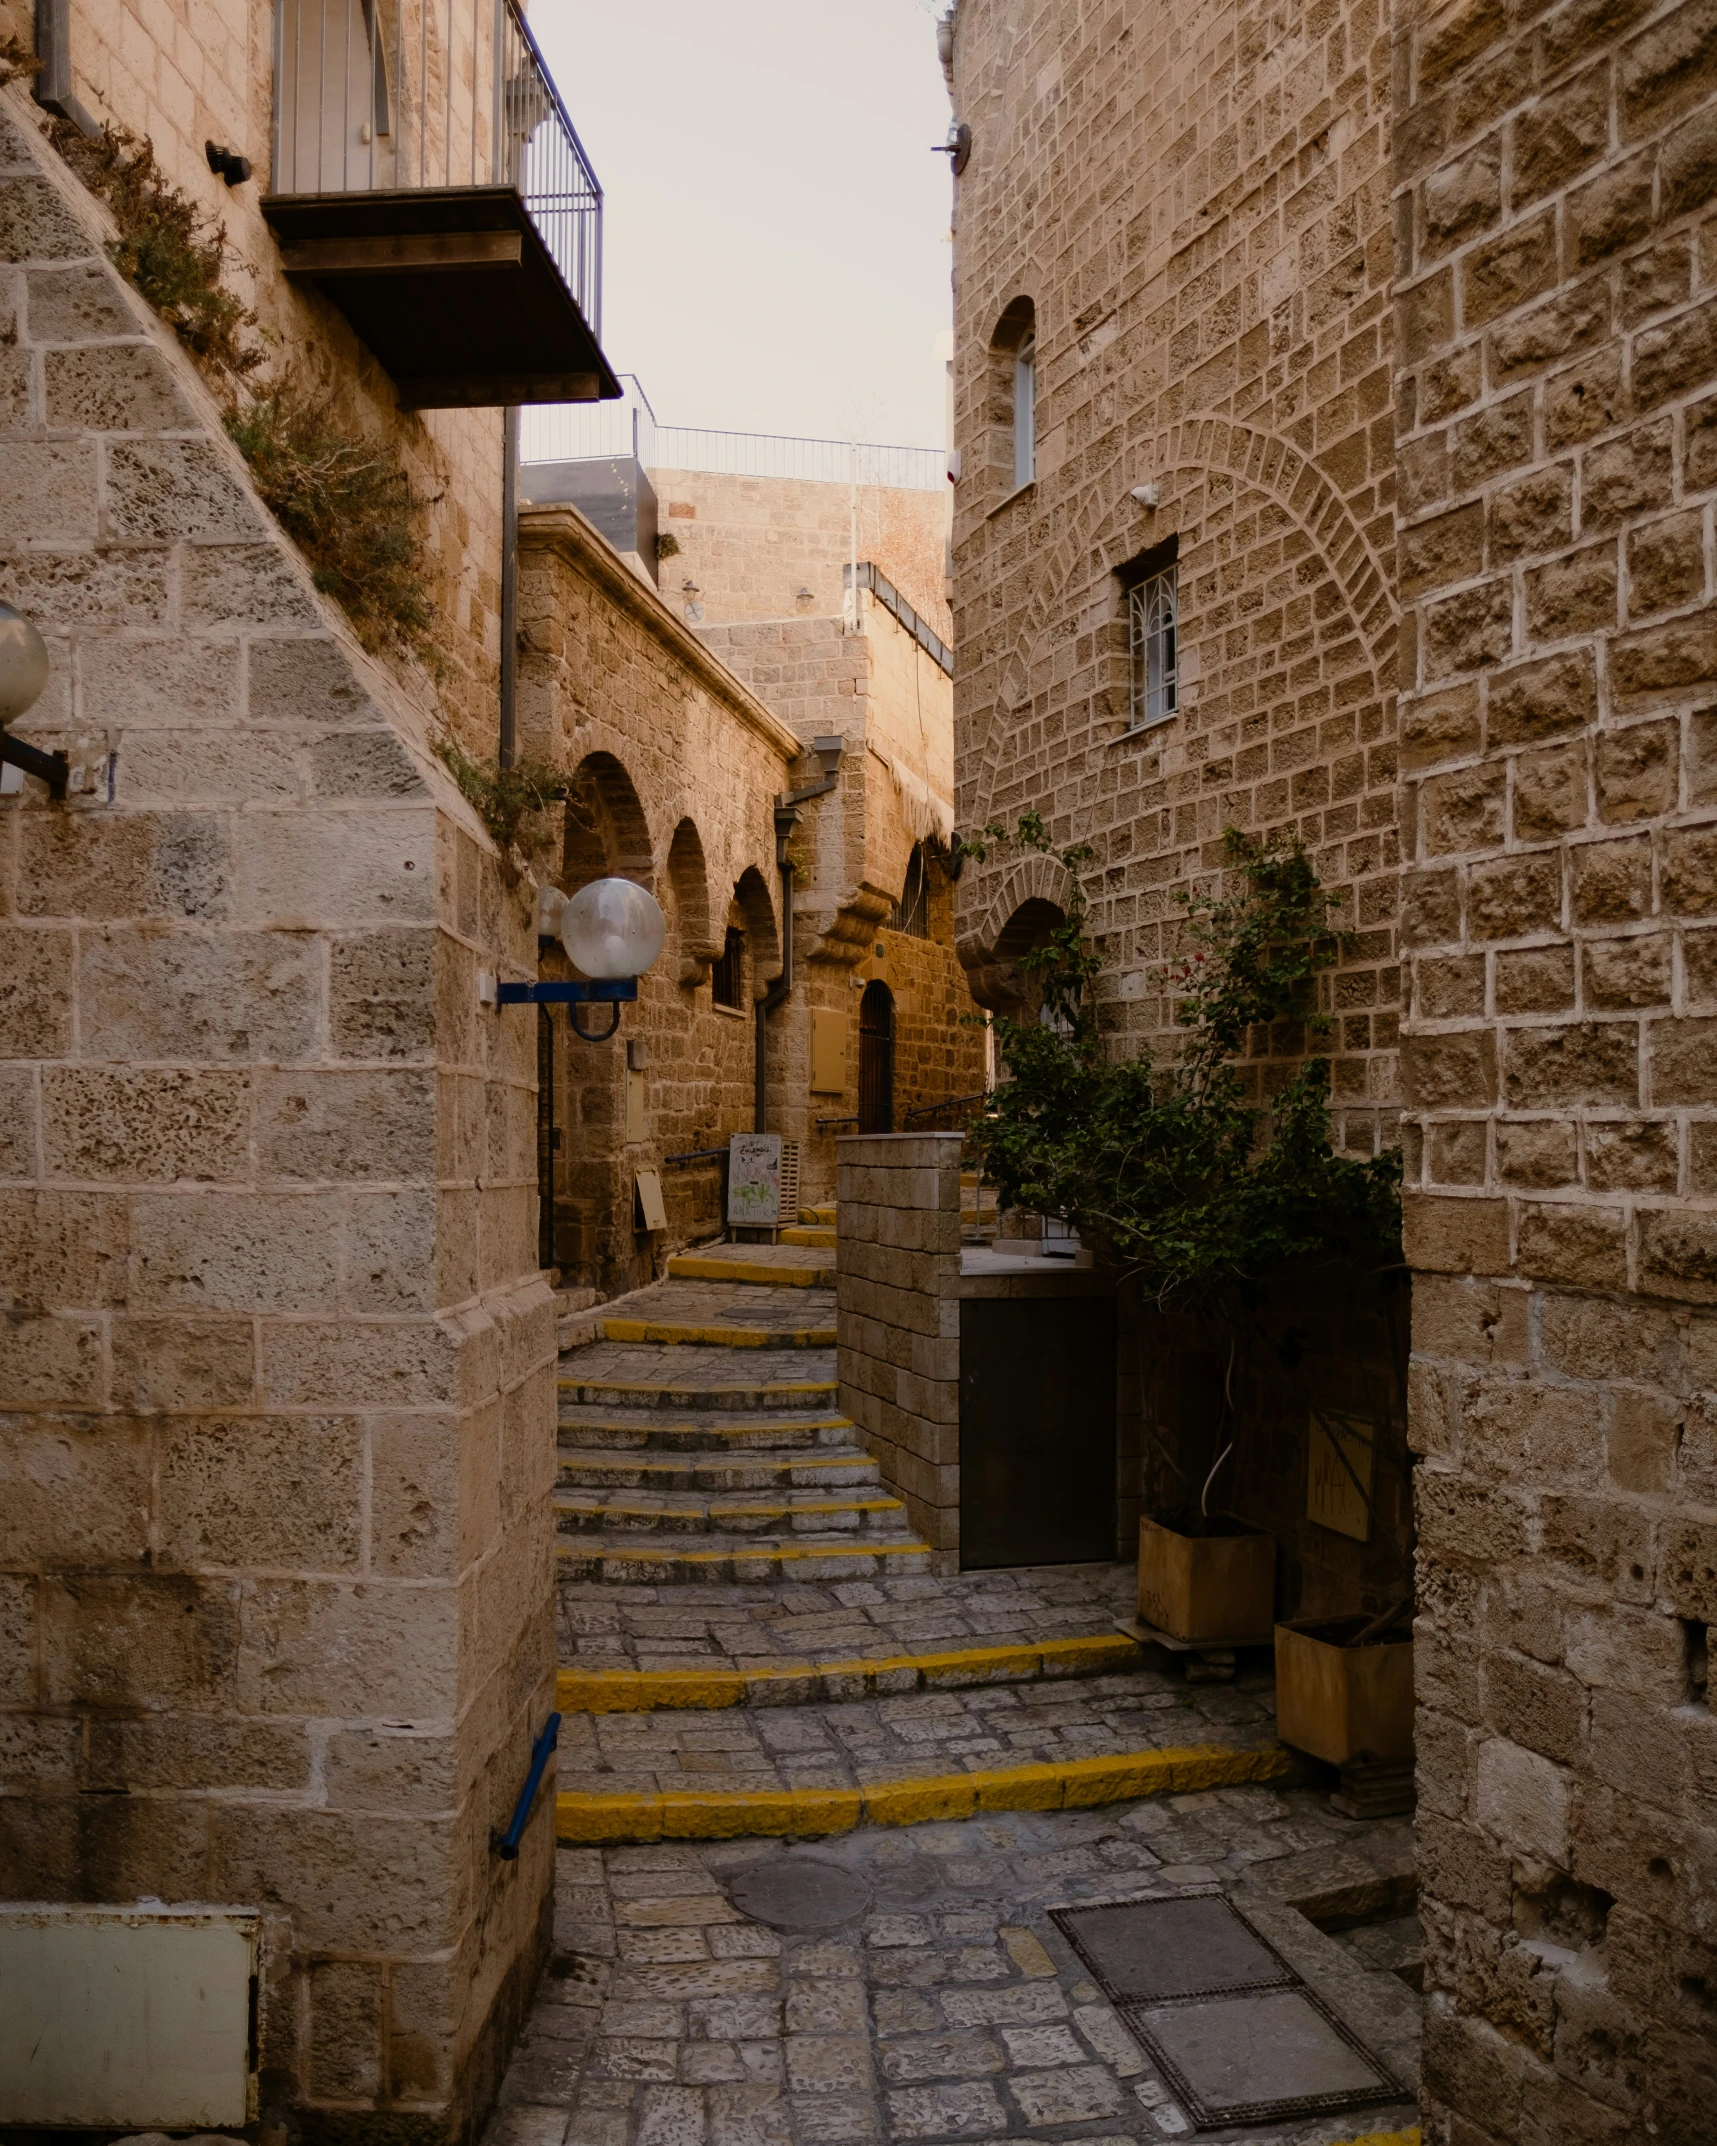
(639, 1692)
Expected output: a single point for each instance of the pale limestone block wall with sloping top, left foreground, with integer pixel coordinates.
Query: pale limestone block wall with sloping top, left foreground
(278, 1366)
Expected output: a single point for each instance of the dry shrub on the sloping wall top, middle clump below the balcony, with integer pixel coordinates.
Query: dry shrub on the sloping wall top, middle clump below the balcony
(349, 505)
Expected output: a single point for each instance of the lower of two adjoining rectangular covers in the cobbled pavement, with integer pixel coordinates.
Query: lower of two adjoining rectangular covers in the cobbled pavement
(1261, 2057)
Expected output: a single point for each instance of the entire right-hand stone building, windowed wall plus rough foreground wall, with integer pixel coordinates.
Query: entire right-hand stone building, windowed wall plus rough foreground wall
(1373, 355)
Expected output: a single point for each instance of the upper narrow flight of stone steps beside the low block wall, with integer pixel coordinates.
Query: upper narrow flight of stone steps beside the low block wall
(701, 1437)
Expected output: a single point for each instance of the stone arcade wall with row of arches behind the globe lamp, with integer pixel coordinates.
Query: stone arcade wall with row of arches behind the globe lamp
(679, 771)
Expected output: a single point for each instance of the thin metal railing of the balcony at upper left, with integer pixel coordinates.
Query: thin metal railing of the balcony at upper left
(402, 95)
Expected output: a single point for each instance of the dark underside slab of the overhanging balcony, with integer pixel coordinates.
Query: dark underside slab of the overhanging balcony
(452, 289)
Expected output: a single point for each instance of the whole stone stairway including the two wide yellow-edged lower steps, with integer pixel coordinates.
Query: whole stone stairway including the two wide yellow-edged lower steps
(752, 1641)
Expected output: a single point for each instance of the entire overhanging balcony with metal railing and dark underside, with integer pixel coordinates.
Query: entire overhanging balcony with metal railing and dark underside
(428, 181)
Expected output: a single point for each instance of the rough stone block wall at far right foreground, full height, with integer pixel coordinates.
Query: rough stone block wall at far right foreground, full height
(1555, 332)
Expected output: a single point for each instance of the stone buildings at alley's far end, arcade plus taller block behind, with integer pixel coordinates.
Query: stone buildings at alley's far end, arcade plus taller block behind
(688, 718)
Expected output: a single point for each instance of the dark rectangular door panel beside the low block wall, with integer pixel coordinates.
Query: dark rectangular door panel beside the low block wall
(1036, 1430)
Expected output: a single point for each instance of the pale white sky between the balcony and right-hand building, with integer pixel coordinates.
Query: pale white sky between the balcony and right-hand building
(776, 248)
